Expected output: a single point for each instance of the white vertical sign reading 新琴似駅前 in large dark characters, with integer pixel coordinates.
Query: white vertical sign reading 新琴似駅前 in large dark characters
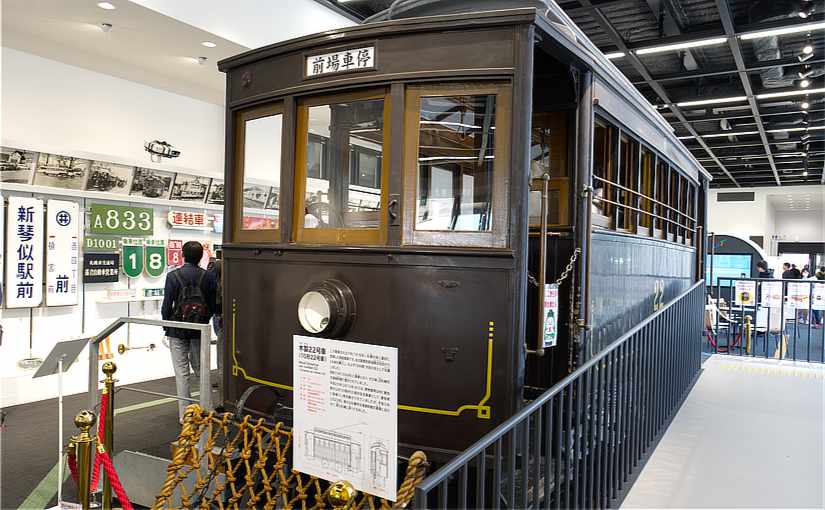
(24, 253)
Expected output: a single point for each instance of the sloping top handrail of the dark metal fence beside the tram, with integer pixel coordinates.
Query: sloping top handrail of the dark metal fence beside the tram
(488, 439)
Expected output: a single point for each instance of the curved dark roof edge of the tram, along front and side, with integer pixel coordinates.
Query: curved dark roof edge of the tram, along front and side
(563, 34)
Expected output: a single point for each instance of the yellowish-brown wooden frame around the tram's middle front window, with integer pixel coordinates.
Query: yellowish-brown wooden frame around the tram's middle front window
(338, 236)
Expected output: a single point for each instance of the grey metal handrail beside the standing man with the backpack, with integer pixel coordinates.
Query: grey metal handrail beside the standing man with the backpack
(204, 385)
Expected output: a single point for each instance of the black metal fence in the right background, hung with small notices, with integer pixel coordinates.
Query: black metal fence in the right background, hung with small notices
(767, 318)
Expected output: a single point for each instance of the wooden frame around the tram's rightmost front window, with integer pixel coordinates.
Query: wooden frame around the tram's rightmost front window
(496, 237)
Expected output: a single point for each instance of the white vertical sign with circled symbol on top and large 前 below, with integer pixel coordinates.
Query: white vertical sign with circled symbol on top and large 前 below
(62, 252)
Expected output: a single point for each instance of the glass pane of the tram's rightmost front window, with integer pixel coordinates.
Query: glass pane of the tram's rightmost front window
(455, 163)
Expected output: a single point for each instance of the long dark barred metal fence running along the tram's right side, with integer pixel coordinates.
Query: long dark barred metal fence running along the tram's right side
(580, 442)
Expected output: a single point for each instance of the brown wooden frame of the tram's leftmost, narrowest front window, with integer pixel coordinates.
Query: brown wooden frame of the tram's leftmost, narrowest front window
(239, 234)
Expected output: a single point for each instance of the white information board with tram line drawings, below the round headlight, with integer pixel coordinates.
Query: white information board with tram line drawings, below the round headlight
(346, 412)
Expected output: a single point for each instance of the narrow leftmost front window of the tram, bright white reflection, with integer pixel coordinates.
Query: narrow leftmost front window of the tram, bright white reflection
(258, 174)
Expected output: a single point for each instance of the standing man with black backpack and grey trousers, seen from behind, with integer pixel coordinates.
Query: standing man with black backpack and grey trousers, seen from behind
(189, 296)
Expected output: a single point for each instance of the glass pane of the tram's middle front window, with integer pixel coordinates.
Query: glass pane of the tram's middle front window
(343, 189)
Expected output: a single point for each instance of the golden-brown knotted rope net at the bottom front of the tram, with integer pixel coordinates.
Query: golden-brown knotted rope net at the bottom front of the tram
(218, 462)
